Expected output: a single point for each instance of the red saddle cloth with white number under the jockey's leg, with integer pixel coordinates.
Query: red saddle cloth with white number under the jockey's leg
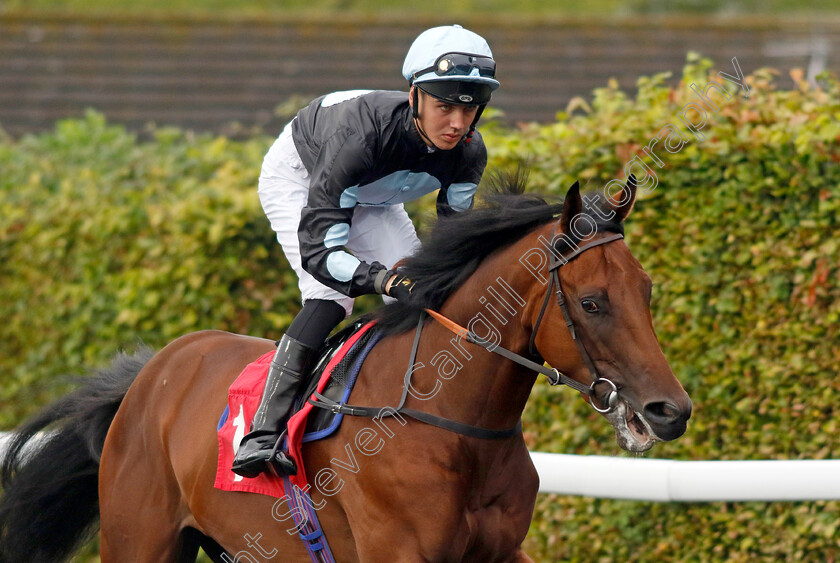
(243, 401)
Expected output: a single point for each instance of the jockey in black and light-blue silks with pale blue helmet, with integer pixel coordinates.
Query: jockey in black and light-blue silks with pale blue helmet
(333, 186)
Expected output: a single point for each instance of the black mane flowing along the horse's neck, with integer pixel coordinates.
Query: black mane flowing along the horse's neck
(458, 244)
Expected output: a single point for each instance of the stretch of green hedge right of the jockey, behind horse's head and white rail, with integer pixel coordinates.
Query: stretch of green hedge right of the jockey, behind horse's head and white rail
(740, 239)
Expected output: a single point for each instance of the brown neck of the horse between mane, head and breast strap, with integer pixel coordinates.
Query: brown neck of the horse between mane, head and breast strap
(471, 384)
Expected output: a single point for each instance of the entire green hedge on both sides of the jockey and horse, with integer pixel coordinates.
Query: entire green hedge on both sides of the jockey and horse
(106, 240)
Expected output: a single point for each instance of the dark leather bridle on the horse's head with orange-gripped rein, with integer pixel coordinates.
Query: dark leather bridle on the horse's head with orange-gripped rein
(554, 376)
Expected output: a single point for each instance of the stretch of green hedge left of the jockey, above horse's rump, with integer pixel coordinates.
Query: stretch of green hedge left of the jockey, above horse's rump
(106, 241)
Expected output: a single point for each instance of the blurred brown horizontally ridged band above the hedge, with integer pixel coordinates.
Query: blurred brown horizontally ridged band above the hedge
(206, 75)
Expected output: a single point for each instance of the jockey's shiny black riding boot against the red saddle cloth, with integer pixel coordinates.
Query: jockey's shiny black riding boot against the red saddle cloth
(290, 364)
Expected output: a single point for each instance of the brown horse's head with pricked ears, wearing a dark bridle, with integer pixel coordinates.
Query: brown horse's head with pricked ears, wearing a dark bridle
(607, 300)
